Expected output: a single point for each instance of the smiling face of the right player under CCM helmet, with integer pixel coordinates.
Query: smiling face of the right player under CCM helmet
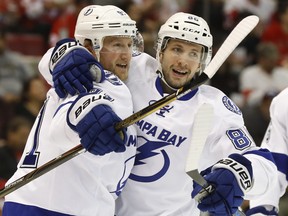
(180, 61)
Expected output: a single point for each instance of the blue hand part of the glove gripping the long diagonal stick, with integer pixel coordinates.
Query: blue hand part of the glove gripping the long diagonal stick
(97, 132)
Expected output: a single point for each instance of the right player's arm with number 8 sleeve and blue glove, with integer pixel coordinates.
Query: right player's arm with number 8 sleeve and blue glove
(247, 171)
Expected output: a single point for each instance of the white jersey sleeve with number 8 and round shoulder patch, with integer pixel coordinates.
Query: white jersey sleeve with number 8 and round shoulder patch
(229, 135)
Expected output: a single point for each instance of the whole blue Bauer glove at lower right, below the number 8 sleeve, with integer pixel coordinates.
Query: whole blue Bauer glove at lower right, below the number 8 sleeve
(231, 177)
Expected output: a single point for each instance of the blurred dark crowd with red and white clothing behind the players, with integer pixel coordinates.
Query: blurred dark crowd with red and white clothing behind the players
(252, 75)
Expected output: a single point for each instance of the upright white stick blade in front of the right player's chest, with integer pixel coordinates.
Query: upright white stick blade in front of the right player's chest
(202, 125)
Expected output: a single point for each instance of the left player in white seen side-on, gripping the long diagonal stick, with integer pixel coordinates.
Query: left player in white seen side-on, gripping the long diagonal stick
(89, 183)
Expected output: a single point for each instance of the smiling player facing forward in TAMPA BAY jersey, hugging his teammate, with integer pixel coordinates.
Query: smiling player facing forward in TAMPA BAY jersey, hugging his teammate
(158, 184)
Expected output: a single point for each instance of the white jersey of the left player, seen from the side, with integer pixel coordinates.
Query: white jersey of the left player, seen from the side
(86, 185)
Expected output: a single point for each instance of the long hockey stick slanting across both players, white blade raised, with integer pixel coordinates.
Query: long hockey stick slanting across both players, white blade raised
(232, 41)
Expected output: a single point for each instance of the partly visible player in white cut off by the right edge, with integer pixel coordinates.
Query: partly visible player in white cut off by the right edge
(276, 140)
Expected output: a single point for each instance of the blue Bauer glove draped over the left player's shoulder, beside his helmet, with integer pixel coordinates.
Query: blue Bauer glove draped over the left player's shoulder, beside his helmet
(73, 68)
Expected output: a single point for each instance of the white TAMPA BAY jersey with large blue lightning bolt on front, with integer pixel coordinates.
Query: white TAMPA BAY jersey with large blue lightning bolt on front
(158, 184)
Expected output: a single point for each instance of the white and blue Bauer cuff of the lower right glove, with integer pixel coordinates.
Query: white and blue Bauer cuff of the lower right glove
(243, 173)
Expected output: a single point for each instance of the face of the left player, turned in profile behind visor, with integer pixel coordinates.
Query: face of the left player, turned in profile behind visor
(116, 55)
